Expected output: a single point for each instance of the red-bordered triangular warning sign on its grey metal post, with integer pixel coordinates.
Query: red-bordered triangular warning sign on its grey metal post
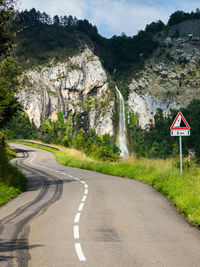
(180, 128)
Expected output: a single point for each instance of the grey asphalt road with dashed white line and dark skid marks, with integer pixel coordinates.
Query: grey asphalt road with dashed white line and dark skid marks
(71, 217)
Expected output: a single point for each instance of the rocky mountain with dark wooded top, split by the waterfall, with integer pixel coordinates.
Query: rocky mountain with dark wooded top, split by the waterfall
(69, 67)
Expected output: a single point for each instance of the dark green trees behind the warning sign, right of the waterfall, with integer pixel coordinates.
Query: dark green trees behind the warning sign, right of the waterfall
(157, 142)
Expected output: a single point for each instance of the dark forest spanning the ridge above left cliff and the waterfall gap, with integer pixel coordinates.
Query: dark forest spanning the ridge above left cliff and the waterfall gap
(42, 38)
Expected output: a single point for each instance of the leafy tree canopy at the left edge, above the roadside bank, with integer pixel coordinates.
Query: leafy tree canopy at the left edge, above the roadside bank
(9, 70)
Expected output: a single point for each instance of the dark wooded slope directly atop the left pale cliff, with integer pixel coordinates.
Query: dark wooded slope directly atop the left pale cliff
(41, 38)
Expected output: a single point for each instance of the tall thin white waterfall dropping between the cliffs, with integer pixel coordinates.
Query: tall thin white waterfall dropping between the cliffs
(122, 127)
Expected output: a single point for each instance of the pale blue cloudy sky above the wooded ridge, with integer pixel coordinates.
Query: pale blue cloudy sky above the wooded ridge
(112, 17)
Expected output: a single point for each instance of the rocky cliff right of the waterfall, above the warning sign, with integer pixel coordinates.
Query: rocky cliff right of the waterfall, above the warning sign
(170, 79)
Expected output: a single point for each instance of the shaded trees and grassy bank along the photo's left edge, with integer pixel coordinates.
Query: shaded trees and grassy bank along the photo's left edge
(12, 181)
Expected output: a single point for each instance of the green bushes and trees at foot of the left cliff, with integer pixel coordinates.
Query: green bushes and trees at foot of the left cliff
(68, 132)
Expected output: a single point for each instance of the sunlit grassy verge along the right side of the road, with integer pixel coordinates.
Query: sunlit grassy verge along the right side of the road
(163, 175)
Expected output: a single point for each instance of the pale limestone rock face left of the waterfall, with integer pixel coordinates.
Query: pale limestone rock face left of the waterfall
(79, 85)
